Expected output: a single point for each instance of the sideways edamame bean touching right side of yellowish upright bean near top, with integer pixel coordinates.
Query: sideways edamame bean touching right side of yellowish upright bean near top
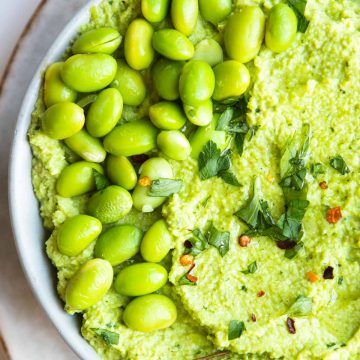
(173, 44)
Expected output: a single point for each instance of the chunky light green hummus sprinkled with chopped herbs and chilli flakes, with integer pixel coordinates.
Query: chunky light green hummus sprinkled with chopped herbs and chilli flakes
(316, 81)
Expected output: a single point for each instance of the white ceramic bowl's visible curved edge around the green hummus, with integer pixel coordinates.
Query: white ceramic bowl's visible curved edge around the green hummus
(24, 210)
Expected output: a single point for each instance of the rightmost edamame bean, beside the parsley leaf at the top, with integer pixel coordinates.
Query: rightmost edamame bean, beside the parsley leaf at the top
(281, 27)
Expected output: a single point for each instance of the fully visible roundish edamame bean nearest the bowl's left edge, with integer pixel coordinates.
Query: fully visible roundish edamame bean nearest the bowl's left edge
(63, 120)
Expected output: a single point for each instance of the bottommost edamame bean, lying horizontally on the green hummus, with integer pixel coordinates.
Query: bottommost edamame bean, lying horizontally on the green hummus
(150, 313)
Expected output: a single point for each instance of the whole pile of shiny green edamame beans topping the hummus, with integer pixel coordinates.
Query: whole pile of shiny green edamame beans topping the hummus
(188, 80)
